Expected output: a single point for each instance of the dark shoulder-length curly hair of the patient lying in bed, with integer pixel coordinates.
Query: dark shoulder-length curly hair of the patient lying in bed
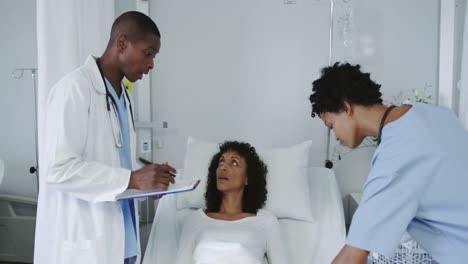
(255, 192)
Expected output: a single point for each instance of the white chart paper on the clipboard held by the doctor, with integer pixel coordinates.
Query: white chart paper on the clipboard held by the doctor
(178, 187)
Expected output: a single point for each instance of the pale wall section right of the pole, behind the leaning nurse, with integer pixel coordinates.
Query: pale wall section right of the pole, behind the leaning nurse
(397, 42)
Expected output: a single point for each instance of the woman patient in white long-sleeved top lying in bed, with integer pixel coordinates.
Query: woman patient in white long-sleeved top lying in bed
(234, 228)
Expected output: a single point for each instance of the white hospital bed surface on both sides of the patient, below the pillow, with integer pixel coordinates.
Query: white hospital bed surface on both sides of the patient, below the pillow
(315, 242)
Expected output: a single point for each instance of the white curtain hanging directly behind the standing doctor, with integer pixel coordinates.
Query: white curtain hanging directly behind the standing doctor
(67, 32)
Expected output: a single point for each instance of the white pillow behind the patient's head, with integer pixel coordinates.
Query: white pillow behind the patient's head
(287, 183)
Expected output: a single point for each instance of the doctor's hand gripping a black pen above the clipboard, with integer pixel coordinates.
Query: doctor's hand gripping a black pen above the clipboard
(150, 177)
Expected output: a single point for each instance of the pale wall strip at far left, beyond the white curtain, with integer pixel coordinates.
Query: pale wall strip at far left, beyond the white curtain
(17, 137)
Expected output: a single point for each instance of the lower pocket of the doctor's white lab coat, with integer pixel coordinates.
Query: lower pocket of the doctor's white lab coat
(83, 251)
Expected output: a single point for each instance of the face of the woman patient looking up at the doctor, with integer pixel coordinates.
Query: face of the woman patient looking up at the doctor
(231, 173)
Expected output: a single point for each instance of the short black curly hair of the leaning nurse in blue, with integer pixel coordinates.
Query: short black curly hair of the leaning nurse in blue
(340, 83)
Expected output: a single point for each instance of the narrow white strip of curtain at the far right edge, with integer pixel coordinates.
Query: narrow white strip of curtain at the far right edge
(463, 104)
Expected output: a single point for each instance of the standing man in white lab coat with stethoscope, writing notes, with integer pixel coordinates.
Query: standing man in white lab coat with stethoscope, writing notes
(90, 153)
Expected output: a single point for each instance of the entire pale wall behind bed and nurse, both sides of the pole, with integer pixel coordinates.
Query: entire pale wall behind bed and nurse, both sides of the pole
(243, 69)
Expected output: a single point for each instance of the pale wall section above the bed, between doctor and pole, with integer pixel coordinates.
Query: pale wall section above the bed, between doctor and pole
(238, 70)
